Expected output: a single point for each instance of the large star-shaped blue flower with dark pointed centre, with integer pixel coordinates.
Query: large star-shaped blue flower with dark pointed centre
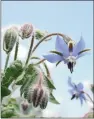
(67, 53)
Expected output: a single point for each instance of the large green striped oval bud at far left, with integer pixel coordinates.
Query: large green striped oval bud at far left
(10, 38)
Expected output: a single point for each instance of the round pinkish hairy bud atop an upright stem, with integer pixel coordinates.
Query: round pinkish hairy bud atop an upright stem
(26, 31)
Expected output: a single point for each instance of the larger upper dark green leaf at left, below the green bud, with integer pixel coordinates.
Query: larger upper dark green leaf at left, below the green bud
(11, 73)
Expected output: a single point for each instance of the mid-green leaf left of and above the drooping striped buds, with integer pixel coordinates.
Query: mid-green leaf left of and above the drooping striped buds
(27, 77)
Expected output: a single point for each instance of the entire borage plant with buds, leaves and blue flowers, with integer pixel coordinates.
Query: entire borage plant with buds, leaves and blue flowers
(36, 84)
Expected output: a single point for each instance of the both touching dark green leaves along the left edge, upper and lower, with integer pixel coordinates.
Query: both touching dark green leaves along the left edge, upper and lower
(10, 74)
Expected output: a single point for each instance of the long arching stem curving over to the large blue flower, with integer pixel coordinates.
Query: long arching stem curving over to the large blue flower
(52, 34)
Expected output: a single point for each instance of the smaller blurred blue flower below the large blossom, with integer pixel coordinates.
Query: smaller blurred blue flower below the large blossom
(76, 91)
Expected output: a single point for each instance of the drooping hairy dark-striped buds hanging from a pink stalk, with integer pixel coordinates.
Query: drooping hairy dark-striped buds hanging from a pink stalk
(39, 94)
